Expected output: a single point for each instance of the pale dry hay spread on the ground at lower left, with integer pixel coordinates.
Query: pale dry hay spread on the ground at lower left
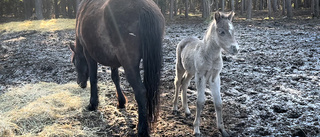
(45, 109)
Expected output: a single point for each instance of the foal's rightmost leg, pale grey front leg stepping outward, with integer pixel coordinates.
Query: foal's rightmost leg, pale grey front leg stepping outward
(215, 90)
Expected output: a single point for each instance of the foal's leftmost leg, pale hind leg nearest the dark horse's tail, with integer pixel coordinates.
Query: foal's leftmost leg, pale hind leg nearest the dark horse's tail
(177, 85)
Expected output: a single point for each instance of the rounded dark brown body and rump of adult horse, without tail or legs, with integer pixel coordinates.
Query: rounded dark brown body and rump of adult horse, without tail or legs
(109, 29)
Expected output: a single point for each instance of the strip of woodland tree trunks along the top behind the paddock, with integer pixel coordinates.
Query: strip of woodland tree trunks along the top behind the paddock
(47, 9)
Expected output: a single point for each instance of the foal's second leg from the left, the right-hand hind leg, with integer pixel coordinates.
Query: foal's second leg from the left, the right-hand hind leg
(185, 83)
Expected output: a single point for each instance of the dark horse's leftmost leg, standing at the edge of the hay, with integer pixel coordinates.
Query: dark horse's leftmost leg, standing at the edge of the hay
(94, 100)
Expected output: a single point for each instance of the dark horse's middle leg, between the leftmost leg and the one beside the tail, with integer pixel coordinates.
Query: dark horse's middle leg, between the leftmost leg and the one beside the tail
(121, 97)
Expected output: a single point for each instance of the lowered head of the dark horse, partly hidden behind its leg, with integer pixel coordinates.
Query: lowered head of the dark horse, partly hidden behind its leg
(79, 61)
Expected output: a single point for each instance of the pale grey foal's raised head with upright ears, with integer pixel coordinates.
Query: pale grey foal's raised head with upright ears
(225, 32)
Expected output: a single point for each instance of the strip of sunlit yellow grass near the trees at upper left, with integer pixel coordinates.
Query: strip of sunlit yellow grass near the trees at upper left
(39, 25)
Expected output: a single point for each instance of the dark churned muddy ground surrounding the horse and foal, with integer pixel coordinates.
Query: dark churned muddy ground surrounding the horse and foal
(271, 88)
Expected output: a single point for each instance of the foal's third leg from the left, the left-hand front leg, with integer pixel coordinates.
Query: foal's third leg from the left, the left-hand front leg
(201, 85)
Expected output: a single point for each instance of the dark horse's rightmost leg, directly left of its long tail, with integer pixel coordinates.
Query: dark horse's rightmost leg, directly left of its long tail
(134, 79)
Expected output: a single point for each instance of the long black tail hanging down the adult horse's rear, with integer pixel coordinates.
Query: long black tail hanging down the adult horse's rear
(151, 33)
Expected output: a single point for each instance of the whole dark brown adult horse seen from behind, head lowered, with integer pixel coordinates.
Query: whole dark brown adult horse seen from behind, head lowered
(120, 33)
